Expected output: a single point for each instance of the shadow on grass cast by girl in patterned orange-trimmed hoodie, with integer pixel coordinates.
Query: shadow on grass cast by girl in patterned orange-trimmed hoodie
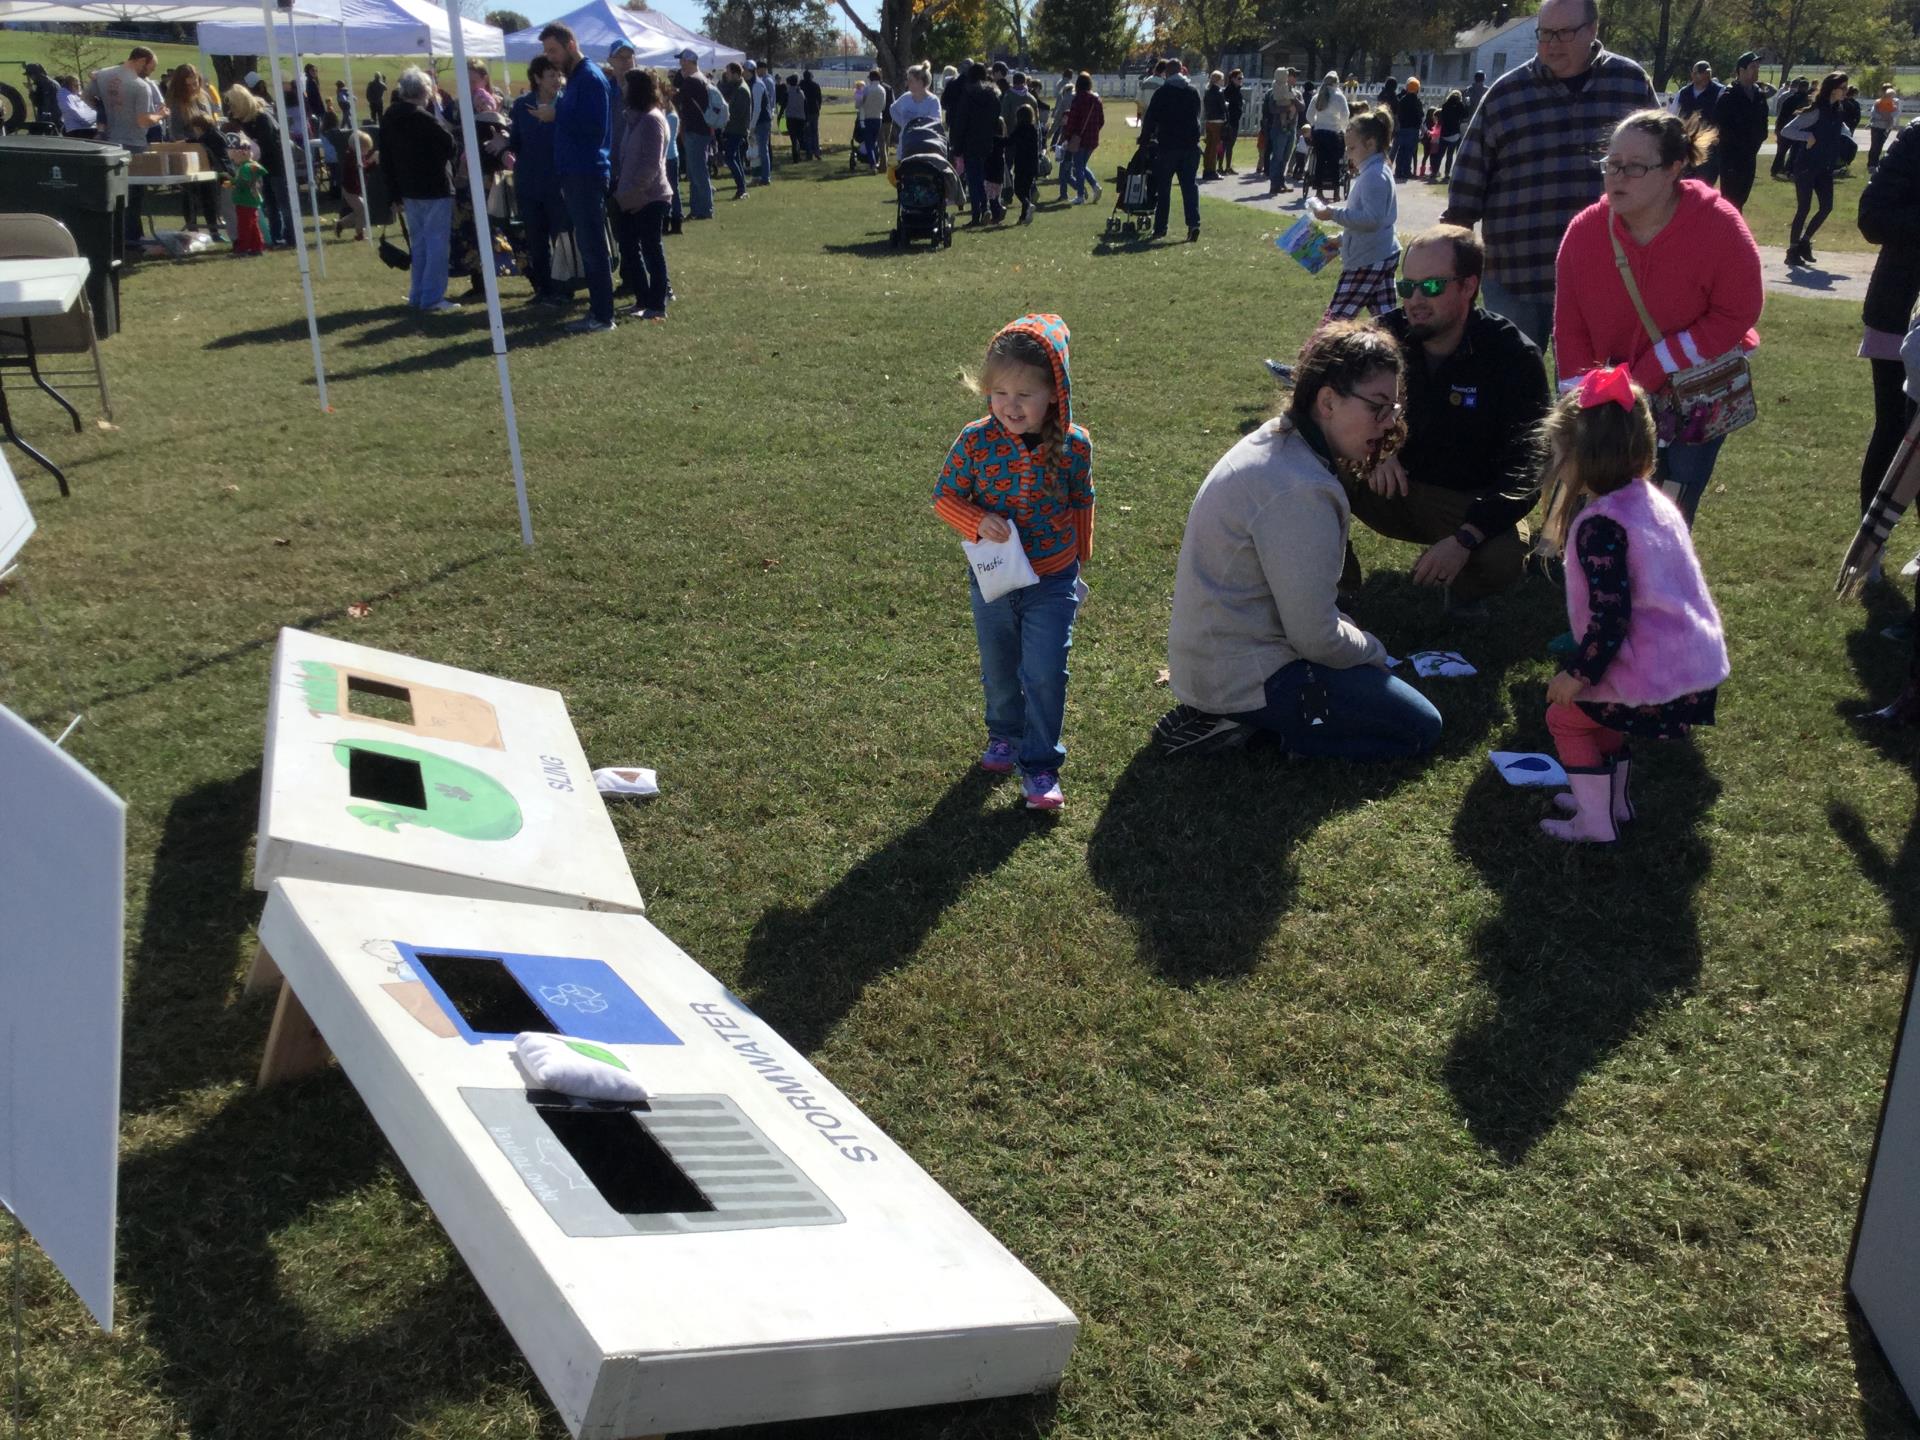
(807, 969)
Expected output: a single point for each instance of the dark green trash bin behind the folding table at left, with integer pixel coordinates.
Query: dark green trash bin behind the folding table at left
(84, 185)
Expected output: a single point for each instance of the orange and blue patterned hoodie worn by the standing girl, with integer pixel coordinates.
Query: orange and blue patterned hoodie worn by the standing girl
(1047, 494)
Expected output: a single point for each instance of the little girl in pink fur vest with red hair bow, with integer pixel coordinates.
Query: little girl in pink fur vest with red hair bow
(1650, 654)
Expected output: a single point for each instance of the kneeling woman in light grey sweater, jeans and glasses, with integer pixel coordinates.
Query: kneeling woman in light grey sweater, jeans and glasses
(1259, 640)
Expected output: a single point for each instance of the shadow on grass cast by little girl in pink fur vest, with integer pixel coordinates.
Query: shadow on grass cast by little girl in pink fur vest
(1587, 944)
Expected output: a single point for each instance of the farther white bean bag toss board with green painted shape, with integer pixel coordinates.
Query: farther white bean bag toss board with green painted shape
(391, 771)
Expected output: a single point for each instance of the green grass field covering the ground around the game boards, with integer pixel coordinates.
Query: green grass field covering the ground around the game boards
(1335, 1101)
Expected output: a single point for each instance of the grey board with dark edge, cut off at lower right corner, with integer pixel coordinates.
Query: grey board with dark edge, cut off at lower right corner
(1884, 1264)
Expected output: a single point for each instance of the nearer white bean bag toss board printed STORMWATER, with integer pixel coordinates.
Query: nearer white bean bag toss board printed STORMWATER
(744, 1247)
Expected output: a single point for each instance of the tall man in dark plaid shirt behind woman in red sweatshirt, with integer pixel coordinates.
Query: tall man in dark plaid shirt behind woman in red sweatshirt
(1527, 164)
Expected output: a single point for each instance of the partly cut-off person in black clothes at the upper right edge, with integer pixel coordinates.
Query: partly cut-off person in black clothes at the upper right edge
(1890, 218)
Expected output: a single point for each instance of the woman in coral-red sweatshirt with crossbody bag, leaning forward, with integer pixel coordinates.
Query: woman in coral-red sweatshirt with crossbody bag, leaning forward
(1696, 268)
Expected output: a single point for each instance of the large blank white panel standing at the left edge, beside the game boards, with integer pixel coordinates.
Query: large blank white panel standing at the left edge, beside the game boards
(62, 886)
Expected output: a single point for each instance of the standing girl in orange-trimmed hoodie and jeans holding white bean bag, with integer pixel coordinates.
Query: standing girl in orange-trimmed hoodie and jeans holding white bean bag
(1024, 471)
